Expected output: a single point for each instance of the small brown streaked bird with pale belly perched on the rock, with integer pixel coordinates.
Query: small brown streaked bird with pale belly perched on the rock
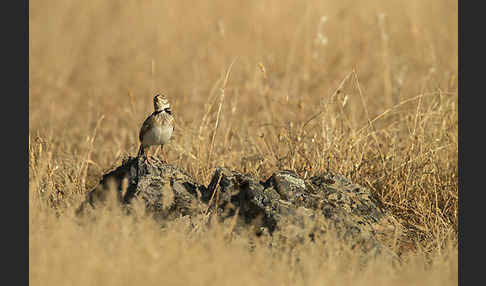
(157, 128)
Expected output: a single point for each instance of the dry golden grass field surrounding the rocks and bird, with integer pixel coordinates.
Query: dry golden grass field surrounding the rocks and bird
(367, 89)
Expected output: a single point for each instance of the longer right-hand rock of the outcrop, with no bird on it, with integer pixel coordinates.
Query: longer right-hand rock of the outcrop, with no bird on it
(285, 199)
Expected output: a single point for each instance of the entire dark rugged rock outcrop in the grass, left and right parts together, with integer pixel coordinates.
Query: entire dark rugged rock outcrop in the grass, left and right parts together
(285, 199)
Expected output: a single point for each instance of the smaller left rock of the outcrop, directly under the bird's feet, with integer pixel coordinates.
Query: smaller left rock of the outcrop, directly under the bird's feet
(166, 190)
